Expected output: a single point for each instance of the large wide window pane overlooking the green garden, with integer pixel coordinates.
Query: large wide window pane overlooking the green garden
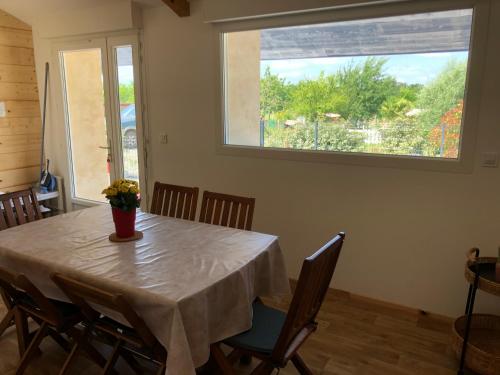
(393, 85)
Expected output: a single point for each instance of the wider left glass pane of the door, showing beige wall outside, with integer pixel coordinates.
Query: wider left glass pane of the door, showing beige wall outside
(84, 94)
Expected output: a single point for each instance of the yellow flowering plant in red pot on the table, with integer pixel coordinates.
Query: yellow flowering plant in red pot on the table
(124, 198)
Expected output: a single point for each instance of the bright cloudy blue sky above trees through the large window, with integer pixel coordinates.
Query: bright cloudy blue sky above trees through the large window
(412, 68)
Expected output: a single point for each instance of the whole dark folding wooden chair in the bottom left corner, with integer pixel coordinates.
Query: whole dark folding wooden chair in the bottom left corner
(23, 300)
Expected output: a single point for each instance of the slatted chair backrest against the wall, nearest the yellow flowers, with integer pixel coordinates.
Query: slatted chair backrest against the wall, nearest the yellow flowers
(174, 201)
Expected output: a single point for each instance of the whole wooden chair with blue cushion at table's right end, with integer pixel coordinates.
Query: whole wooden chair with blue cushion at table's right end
(275, 336)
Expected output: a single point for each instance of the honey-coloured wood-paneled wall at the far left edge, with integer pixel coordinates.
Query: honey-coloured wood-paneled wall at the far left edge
(20, 122)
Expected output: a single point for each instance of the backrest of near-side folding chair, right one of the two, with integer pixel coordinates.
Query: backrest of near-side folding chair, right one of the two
(83, 295)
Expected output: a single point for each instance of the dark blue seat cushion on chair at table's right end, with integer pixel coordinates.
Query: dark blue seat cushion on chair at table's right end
(266, 328)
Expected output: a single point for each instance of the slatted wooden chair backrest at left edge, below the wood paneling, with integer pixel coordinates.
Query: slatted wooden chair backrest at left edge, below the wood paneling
(18, 208)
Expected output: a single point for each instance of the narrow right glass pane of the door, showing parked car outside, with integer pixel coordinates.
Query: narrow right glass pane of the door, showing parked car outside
(127, 112)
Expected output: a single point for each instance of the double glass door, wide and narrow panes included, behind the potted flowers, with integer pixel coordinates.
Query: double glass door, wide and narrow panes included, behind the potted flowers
(101, 95)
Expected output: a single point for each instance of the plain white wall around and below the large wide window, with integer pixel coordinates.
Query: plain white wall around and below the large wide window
(407, 230)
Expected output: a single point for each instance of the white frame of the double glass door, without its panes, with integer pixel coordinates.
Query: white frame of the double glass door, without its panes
(64, 165)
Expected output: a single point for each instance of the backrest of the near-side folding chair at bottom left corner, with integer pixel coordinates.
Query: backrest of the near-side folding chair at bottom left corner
(13, 286)
